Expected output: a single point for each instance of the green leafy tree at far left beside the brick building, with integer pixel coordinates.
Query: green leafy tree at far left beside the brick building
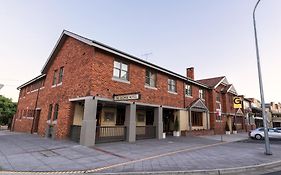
(7, 110)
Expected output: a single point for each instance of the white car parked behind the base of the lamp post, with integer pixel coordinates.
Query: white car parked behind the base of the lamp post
(259, 133)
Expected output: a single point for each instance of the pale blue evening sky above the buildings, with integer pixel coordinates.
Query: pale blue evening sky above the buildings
(216, 37)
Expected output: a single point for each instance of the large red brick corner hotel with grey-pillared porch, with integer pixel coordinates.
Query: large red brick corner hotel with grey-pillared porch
(91, 92)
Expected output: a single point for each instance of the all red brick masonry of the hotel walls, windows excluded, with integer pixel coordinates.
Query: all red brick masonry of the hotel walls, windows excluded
(88, 71)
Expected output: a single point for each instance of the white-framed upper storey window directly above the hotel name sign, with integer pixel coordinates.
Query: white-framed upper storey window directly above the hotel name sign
(120, 70)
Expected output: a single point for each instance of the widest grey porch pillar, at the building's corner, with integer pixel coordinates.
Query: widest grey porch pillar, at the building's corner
(89, 123)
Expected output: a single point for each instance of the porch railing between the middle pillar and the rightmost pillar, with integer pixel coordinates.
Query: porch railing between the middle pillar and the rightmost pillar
(145, 132)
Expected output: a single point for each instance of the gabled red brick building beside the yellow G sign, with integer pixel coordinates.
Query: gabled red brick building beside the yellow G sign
(221, 96)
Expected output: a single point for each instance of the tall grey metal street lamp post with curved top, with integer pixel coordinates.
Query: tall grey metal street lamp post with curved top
(267, 145)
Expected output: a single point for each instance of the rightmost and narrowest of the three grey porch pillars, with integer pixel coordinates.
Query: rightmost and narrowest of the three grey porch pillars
(158, 122)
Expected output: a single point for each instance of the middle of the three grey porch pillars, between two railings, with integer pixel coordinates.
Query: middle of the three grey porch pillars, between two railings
(130, 122)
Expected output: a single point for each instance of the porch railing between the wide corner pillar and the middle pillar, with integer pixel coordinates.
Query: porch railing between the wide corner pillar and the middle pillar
(110, 133)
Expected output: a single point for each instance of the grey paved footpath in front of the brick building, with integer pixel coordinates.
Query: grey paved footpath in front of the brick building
(185, 155)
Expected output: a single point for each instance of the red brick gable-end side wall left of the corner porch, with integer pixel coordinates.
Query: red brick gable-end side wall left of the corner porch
(77, 60)
